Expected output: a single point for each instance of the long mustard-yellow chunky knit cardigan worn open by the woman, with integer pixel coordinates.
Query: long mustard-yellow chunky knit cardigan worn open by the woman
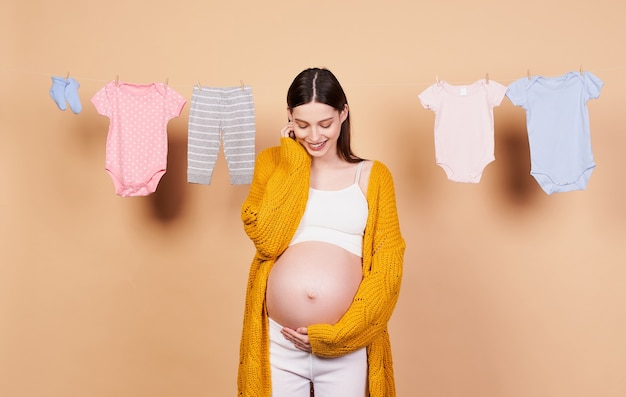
(271, 214)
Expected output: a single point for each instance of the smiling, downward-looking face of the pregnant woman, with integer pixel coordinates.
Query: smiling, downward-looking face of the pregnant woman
(317, 127)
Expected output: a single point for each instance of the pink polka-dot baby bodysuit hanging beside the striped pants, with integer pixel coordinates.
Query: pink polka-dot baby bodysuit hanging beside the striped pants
(136, 150)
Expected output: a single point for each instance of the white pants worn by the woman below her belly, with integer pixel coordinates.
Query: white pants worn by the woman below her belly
(293, 370)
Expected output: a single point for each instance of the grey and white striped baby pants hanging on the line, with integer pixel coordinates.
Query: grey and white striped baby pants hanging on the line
(216, 115)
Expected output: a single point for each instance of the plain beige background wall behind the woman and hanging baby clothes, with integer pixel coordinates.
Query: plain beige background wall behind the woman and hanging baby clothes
(507, 292)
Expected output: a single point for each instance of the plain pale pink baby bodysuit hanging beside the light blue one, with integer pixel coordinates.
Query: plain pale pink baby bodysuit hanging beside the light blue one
(464, 126)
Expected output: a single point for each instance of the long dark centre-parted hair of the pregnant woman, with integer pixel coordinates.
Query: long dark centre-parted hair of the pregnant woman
(320, 85)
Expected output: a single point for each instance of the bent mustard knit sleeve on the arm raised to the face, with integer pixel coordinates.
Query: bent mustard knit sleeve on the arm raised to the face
(277, 197)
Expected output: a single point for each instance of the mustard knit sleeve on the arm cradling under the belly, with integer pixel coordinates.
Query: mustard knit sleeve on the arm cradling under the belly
(376, 297)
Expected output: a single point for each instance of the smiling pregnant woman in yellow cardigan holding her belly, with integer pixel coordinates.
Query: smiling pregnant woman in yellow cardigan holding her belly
(327, 270)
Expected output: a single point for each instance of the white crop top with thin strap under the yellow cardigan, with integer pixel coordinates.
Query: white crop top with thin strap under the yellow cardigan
(335, 216)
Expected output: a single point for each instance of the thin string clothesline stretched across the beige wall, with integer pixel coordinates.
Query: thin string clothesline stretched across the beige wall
(242, 82)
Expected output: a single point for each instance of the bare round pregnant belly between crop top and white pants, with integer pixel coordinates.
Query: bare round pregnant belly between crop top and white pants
(312, 283)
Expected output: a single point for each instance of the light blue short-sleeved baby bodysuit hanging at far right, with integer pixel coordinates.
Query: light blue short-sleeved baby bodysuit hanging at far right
(561, 158)
